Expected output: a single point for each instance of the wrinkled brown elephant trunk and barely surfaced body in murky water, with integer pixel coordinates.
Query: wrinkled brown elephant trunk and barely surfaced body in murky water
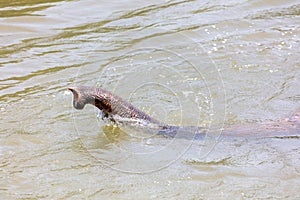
(115, 108)
